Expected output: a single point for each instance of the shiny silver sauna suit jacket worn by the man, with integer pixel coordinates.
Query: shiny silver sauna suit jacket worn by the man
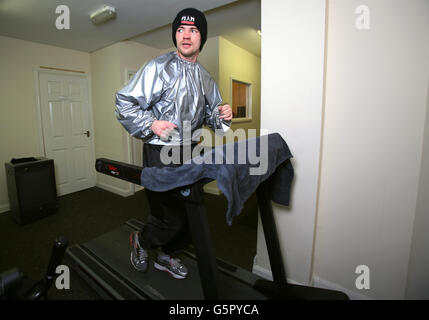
(172, 89)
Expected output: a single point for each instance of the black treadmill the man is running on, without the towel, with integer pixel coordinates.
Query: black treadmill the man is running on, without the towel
(104, 262)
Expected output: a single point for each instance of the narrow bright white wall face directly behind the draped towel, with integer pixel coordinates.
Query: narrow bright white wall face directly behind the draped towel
(292, 62)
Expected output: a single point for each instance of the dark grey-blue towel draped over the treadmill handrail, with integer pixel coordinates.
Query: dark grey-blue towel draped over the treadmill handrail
(239, 169)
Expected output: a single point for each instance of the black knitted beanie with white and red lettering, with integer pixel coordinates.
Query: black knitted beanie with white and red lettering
(191, 17)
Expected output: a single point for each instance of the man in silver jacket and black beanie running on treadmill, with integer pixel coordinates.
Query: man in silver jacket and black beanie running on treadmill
(166, 95)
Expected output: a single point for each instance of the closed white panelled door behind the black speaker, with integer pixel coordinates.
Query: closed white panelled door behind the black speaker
(66, 125)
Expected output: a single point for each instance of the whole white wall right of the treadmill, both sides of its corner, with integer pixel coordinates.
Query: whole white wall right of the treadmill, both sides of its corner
(371, 203)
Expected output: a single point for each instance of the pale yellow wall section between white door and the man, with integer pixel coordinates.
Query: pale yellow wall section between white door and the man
(108, 68)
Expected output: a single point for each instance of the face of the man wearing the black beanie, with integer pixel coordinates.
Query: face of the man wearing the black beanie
(188, 40)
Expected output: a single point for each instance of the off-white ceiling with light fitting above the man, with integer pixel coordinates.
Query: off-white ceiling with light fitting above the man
(144, 21)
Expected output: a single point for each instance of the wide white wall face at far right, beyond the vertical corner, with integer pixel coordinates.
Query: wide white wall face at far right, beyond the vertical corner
(376, 100)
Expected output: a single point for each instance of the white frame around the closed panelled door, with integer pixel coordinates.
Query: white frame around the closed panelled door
(37, 71)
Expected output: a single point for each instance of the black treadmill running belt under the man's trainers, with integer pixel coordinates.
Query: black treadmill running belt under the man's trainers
(111, 252)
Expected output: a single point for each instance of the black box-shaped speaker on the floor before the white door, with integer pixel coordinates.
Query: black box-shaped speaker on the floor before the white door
(32, 188)
